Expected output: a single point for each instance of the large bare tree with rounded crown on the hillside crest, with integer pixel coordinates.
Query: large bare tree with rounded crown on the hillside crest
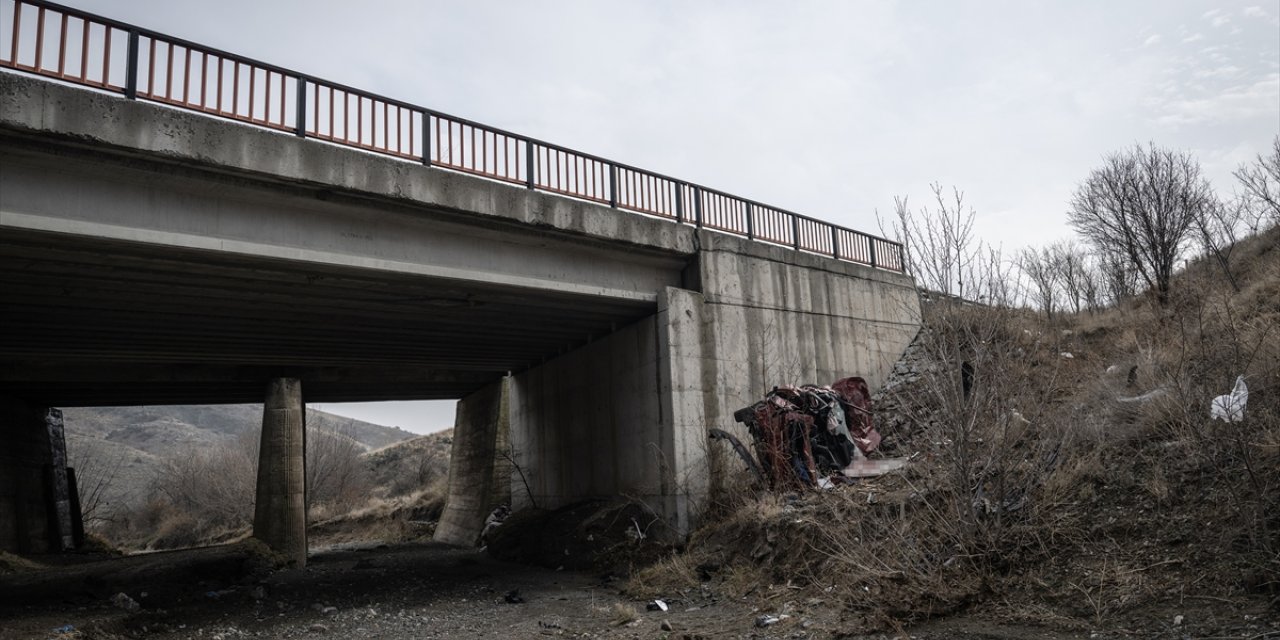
(1142, 205)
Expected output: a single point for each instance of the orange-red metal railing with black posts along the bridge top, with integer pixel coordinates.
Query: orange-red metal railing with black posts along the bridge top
(63, 43)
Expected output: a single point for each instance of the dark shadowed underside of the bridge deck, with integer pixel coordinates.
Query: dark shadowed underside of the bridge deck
(102, 323)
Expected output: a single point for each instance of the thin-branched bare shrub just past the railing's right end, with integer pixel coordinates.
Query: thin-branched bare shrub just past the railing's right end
(939, 245)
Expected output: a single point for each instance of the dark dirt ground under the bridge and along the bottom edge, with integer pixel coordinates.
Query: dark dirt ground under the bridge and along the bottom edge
(415, 592)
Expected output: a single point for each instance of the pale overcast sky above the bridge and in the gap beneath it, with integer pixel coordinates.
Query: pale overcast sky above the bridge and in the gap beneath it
(825, 108)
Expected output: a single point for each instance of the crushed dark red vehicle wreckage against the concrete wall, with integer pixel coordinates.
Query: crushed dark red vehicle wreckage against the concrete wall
(815, 436)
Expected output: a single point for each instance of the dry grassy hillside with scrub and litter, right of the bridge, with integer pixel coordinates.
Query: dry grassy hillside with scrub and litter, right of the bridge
(1077, 483)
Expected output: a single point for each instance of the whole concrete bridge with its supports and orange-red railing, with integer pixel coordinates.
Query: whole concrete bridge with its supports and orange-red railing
(171, 239)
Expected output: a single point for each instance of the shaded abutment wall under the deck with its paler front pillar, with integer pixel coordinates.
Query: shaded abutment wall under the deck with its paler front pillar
(623, 415)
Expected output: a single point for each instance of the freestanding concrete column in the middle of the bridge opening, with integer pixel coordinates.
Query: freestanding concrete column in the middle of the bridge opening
(281, 511)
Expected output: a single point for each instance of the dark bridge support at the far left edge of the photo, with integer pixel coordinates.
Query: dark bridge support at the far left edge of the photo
(38, 511)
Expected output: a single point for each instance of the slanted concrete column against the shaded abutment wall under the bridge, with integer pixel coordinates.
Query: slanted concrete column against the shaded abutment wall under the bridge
(476, 487)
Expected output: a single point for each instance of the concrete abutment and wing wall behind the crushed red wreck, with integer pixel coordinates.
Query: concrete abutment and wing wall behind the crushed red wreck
(629, 414)
